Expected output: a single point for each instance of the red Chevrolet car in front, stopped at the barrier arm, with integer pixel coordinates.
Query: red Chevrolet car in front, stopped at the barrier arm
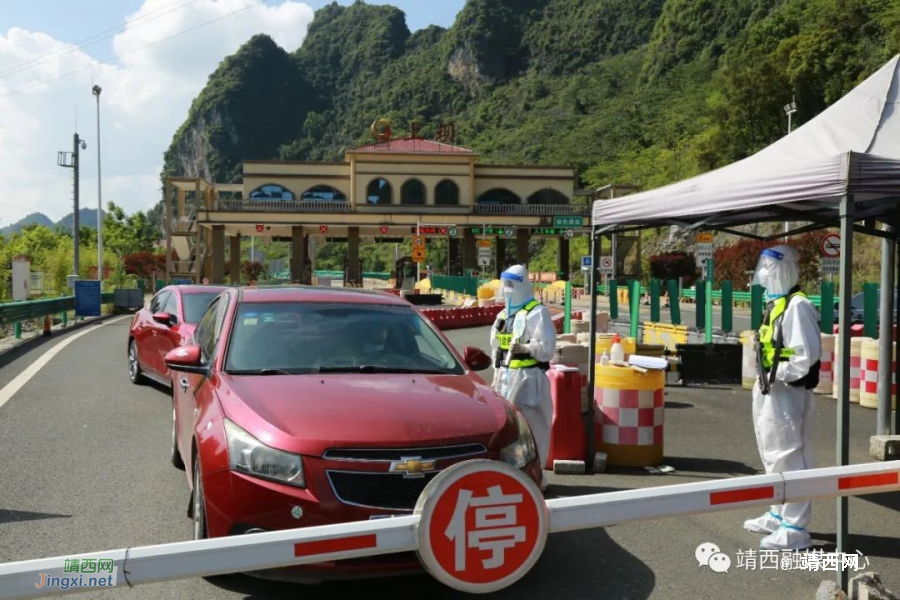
(308, 406)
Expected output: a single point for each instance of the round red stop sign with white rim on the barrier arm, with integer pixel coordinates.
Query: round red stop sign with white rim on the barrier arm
(482, 526)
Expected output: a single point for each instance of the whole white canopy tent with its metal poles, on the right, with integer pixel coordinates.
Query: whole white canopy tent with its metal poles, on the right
(840, 169)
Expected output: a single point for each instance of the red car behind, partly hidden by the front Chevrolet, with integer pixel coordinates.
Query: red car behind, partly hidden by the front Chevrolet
(168, 321)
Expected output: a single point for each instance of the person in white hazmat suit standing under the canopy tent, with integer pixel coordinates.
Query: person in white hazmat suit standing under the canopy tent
(788, 348)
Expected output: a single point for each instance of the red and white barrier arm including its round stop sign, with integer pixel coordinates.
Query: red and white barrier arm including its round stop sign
(479, 526)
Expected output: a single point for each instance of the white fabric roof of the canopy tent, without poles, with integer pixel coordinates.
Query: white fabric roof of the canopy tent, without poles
(853, 147)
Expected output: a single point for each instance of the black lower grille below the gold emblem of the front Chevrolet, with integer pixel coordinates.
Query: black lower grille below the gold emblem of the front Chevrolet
(390, 491)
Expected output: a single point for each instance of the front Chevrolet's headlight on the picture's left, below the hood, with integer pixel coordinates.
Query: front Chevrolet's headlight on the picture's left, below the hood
(246, 454)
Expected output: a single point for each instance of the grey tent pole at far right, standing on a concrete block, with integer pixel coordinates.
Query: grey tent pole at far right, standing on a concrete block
(885, 336)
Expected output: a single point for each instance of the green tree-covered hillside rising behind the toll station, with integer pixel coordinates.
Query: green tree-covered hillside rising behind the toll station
(639, 92)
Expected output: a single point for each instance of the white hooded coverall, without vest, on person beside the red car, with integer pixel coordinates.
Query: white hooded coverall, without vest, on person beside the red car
(528, 389)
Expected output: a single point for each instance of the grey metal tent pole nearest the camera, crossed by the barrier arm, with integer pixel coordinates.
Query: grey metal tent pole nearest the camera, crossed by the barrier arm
(843, 412)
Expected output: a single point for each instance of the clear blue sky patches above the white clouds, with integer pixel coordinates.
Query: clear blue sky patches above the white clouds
(74, 21)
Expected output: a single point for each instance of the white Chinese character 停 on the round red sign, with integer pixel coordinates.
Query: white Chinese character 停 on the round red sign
(496, 527)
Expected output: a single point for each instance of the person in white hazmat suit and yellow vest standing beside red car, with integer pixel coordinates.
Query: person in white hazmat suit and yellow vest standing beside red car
(523, 340)
